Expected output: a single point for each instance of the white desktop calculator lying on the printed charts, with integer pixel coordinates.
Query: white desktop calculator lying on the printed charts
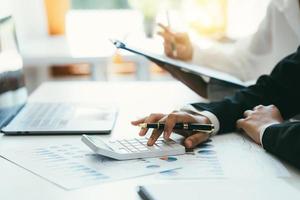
(133, 148)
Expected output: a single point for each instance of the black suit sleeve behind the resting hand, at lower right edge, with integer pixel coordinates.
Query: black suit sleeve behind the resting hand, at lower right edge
(283, 140)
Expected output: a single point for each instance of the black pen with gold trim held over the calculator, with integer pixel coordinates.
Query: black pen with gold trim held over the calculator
(182, 126)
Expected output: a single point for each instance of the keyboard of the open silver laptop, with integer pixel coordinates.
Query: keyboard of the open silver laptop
(40, 115)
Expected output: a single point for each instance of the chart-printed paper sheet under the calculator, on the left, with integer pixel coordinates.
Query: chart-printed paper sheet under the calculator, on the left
(72, 166)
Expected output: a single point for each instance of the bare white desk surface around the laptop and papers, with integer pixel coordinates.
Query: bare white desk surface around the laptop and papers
(134, 99)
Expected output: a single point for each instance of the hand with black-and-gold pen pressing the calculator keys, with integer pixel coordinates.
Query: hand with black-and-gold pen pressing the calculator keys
(192, 138)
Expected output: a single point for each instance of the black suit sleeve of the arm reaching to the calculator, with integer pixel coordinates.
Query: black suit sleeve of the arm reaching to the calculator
(281, 88)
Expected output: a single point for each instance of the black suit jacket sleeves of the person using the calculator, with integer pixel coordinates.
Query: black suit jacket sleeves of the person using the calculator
(281, 88)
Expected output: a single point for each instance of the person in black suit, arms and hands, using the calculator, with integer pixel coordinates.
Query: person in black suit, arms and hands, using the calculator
(262, 111)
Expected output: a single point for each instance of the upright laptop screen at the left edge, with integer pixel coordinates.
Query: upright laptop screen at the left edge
(13, 93)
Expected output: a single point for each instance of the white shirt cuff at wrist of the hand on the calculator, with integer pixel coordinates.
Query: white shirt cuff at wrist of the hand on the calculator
(212, 117)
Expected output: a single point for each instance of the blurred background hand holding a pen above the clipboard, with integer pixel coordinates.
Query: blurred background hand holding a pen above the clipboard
(176, 45)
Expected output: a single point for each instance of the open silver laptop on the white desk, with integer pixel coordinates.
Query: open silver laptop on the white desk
(19, 117)
